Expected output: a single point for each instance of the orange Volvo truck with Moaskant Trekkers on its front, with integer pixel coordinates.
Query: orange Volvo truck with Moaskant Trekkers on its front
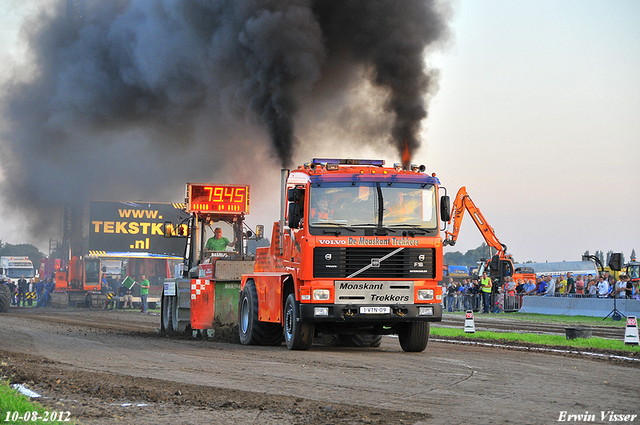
(357, 253)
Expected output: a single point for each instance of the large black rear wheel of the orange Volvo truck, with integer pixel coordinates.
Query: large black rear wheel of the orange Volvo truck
(252, 331)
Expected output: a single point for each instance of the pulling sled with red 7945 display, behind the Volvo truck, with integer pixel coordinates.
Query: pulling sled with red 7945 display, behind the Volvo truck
(205, 290)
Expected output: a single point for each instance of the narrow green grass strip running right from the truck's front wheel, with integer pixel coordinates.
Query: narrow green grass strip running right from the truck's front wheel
(551, 340)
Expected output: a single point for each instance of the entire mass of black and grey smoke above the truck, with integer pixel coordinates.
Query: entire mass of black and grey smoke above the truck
(121, 97)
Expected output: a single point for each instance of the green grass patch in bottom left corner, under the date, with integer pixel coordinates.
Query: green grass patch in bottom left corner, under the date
(14, 404)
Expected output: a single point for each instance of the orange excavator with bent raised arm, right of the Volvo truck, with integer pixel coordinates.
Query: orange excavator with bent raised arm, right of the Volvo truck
(501, 264)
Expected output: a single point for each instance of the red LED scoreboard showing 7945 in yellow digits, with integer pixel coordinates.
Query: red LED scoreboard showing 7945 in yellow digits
(217, 198)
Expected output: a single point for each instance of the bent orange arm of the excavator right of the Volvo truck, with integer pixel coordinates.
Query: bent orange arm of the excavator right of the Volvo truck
(461, 203)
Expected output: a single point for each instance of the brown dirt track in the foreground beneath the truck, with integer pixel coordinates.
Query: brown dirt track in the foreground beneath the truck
(94, 362)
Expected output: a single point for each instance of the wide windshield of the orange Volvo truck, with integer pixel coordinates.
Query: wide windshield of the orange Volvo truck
(402, 205)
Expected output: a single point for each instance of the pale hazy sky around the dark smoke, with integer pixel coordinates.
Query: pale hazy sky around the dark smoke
(537, 114)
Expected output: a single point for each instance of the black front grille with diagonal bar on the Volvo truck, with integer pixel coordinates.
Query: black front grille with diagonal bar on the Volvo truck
(409, 263)
